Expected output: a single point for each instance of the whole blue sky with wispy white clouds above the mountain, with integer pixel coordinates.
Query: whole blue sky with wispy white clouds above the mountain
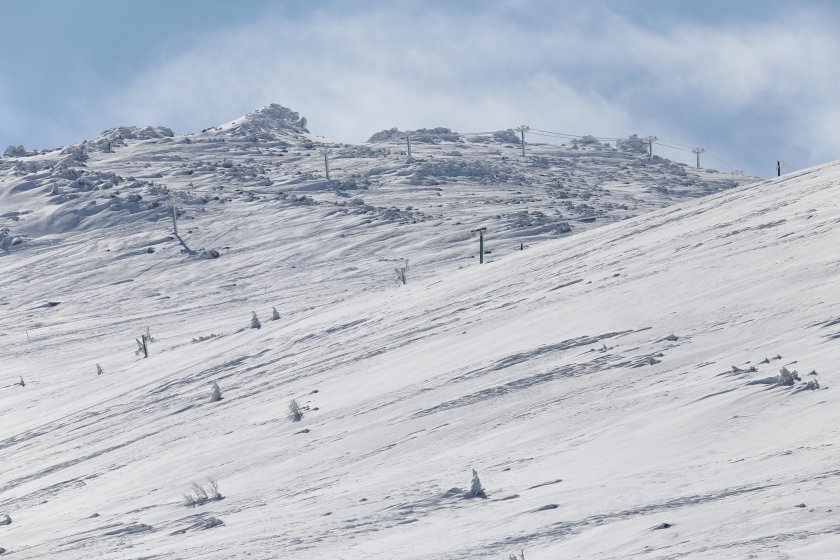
(749, 81)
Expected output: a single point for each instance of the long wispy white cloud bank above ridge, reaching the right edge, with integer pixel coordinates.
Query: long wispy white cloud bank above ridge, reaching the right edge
(569, 67)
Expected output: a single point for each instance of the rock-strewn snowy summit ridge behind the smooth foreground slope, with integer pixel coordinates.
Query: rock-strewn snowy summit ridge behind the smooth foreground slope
(452, 183)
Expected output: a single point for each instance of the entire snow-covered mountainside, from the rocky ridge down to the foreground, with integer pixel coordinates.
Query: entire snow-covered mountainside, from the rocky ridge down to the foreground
(602, 385)
